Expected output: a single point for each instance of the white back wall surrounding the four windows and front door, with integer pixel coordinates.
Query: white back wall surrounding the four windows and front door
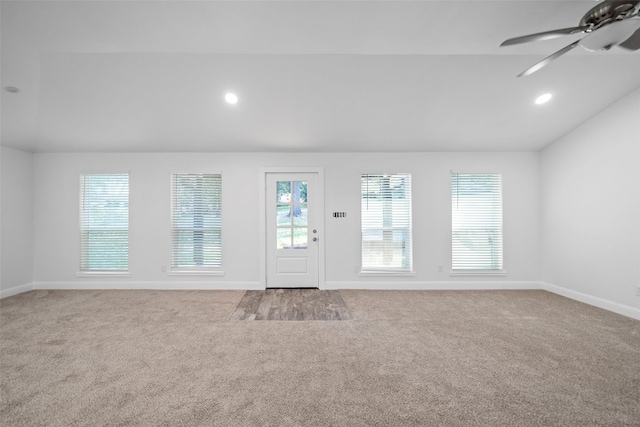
(57, 213)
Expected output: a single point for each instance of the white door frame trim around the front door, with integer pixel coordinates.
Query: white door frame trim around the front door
(262, 216)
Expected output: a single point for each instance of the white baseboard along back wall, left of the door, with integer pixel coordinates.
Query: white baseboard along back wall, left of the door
(150, 285)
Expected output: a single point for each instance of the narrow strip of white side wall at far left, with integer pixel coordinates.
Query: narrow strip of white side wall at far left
(16, 235)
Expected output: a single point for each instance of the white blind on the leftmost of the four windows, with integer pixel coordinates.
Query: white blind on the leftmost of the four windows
(104, 222)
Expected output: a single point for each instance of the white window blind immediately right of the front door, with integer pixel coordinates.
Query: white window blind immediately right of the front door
(386, 222)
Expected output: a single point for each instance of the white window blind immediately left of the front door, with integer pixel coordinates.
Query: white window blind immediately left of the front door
(196, 221)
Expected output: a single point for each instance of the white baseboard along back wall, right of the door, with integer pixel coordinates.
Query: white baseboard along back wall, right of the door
(433, 285)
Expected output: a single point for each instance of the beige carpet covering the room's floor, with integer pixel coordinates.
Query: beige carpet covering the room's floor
(427, 358)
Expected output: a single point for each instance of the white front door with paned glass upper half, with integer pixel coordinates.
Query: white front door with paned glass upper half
(292, 233)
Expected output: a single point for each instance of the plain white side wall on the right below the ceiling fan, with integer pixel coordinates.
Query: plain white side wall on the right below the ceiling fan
(590, 197)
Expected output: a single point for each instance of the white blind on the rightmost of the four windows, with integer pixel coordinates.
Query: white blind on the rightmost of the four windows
(476, 240)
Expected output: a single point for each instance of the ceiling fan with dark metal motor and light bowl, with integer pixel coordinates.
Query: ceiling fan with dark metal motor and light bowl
(608, 24)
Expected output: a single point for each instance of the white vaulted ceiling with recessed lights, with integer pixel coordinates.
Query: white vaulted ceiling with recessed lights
(312, 76)
